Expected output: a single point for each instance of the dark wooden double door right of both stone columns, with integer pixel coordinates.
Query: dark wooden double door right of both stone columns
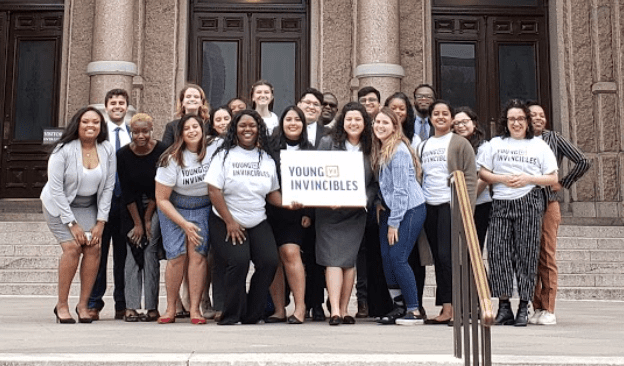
(489, 51)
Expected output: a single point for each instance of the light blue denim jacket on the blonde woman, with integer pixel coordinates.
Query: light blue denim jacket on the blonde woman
(398, 185)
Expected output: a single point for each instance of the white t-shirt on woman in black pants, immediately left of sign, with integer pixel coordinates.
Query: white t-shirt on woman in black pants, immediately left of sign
(244, 182)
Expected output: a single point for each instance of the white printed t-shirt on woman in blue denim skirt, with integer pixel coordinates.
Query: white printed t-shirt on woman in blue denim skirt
(188, 181)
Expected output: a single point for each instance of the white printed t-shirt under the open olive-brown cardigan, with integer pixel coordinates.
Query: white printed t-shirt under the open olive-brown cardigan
(435, 170)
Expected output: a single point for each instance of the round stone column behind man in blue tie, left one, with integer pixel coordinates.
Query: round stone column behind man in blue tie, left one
(111, 65)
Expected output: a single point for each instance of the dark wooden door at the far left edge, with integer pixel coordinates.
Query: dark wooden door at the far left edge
(31, 99)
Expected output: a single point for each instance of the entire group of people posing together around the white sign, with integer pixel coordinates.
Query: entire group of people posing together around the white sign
(207, 199)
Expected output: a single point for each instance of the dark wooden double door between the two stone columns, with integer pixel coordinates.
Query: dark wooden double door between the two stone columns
(233, 43)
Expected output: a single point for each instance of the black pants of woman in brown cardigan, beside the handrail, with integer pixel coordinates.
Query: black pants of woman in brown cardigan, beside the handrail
(438, 229)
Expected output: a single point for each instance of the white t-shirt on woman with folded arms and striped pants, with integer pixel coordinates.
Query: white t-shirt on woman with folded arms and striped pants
(508, 156)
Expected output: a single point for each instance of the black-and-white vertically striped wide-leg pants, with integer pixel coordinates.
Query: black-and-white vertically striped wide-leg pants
(514, 244)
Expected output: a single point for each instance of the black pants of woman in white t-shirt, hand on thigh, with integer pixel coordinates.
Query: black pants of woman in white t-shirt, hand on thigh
(259, 247)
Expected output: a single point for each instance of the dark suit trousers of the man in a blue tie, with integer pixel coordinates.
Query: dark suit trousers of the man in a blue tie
(112, 231)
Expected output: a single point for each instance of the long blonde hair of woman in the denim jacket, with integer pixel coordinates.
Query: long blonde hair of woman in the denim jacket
(383, 152)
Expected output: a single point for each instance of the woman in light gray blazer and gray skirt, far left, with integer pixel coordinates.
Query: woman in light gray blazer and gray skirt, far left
(76, 201)
